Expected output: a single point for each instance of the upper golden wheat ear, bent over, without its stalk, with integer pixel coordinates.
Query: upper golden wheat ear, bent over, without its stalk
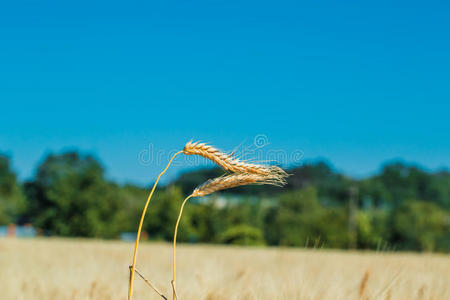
(227, 161)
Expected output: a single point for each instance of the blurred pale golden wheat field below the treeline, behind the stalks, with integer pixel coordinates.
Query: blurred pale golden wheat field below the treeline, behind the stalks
(92, 269)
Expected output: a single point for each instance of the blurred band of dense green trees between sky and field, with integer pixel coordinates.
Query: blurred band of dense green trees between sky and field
(402, 207)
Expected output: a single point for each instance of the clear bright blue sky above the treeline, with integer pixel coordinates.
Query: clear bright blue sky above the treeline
(355, 82)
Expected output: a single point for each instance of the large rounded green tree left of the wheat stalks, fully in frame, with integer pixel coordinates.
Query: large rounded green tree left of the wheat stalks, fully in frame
(71, 197)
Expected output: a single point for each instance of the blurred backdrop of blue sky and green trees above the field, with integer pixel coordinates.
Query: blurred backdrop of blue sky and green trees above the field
(351, 98)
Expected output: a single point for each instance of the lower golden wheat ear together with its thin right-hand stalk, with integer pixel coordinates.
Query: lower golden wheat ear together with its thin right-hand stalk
(217, 184)
